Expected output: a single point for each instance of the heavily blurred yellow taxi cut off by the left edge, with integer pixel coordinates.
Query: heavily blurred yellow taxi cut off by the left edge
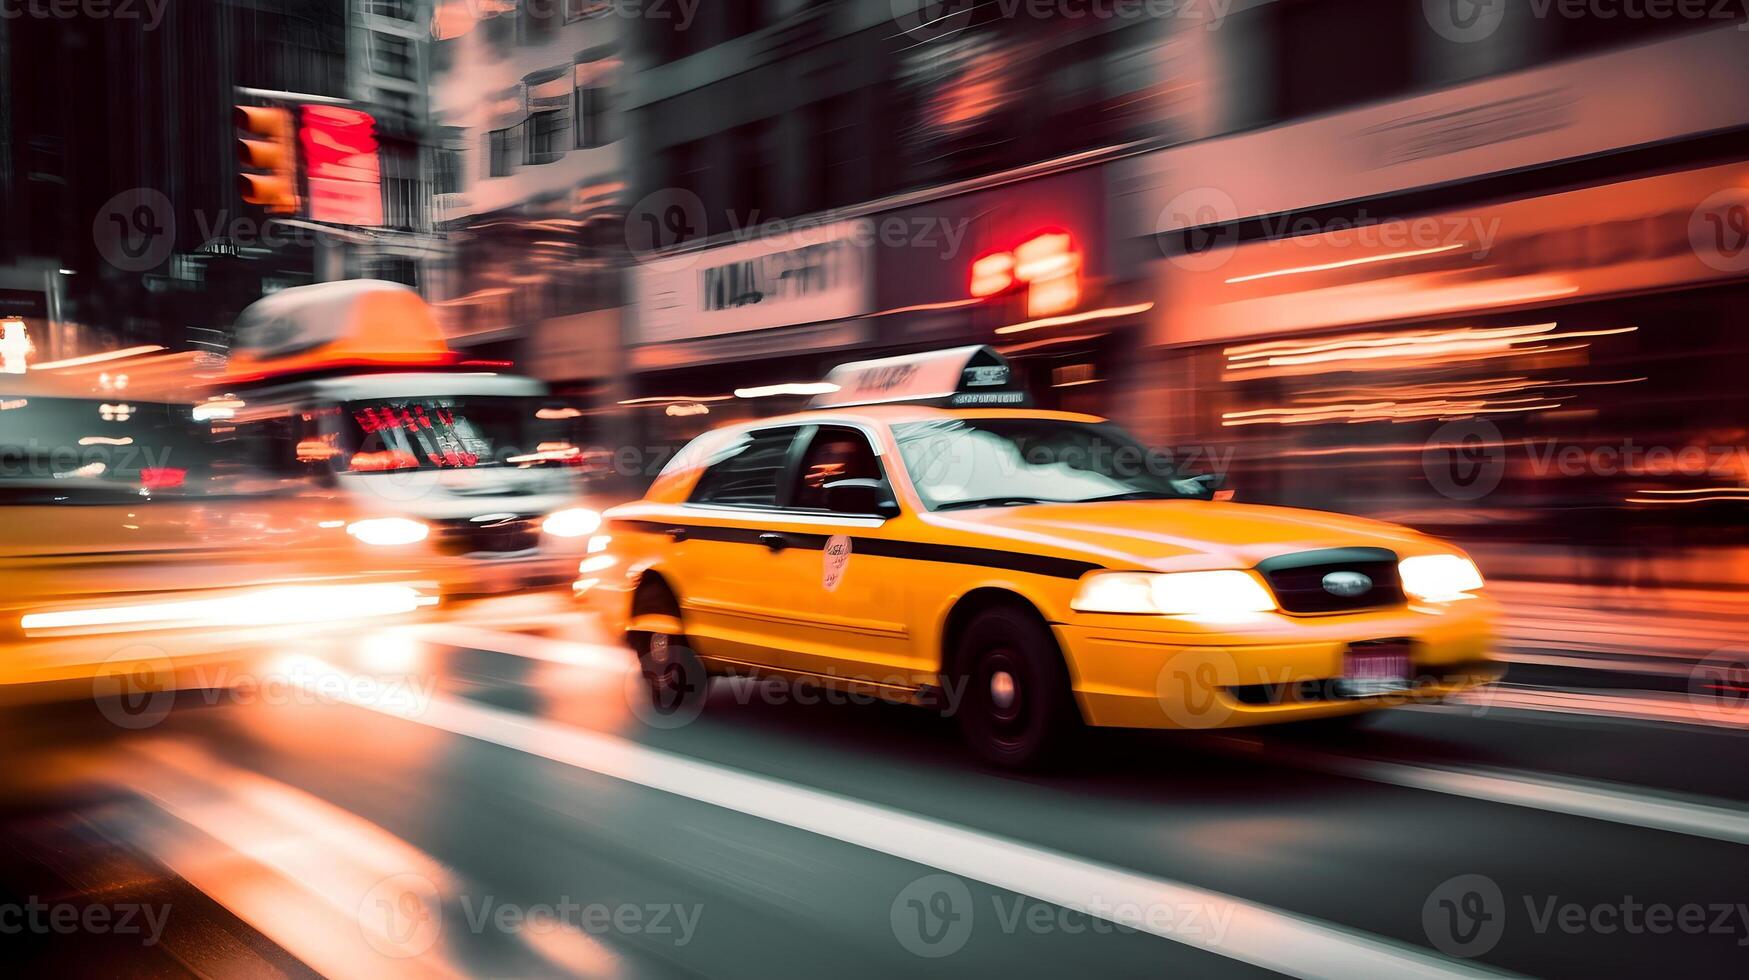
(139, 552)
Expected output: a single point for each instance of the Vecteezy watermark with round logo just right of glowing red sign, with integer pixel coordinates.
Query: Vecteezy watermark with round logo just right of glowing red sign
(1199, 232)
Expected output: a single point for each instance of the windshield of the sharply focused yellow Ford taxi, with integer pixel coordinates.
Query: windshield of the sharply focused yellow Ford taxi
(975, 463)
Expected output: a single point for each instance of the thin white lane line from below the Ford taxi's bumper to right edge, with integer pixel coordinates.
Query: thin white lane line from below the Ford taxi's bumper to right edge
(1599, 802)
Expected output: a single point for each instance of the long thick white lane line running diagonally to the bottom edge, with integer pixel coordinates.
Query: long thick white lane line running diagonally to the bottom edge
(1257, 934)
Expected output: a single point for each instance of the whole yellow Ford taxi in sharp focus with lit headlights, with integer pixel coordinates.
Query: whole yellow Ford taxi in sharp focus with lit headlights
(923, 536)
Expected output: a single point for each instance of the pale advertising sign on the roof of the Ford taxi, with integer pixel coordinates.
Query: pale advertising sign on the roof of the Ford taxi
(963, 377)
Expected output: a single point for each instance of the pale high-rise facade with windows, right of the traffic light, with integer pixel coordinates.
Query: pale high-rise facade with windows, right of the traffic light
(531, 185)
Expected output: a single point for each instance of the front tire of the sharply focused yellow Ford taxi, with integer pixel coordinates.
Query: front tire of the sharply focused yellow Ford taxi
(1042, 718)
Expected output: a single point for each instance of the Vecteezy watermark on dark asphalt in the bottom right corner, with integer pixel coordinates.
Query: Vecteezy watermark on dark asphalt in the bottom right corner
(1467, 916)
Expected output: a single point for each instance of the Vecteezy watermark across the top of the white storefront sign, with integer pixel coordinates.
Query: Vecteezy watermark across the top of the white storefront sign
(672, 218)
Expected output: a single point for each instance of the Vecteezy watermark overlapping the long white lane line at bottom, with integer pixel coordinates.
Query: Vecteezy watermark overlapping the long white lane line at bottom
(935, 918)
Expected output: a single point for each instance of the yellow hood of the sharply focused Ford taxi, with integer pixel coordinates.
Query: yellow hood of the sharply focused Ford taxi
(1180, 535)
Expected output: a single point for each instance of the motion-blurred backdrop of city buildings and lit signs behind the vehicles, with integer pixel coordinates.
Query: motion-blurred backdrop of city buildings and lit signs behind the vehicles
(1475, 269)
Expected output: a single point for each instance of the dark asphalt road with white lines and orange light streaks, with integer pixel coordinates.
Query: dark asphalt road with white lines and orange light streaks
(477, 795)
